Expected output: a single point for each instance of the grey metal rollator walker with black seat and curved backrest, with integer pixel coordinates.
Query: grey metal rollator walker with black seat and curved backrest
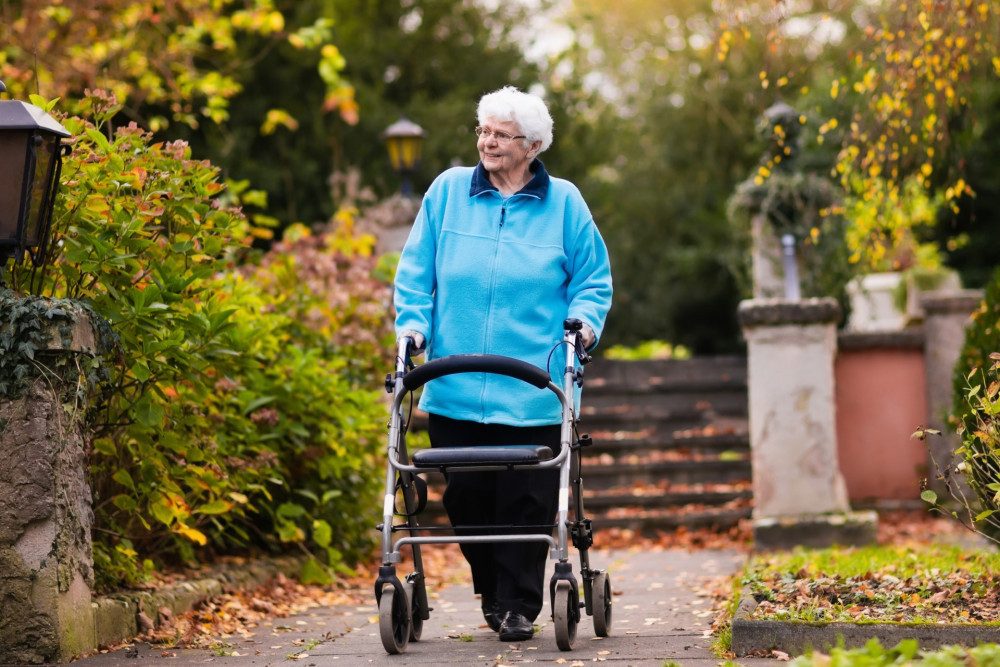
(403, 604)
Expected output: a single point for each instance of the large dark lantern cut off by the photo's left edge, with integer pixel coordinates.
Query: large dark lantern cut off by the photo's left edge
(31, 152)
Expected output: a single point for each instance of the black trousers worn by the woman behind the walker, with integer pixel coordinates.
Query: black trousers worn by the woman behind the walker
(513, 572)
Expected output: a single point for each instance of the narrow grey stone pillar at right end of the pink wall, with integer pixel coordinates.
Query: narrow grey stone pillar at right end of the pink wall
(946, 315)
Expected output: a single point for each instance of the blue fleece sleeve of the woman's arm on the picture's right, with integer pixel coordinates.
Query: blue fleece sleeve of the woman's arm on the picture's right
(589, 291)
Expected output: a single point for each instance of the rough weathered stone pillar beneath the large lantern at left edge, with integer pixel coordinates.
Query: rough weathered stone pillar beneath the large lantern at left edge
(46, 559)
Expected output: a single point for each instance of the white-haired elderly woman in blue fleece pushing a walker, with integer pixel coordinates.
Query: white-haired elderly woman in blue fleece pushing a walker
(499, 256)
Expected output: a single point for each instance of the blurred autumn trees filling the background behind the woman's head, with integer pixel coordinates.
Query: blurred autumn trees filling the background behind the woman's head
(656, 104)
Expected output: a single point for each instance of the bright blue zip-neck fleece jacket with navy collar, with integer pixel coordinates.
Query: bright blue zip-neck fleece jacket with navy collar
(483, 275)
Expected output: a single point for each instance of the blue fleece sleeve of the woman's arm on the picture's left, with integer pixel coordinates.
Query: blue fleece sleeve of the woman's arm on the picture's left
(416, 278)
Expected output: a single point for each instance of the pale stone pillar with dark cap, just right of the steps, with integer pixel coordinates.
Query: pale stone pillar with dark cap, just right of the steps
(799, 493)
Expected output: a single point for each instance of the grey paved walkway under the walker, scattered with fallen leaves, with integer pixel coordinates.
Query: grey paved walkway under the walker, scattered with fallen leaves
(659, 618)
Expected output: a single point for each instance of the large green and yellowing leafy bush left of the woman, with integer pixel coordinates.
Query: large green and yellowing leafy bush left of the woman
(244, 410)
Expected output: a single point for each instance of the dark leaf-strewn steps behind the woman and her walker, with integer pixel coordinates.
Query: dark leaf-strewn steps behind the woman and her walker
(670, 445)
